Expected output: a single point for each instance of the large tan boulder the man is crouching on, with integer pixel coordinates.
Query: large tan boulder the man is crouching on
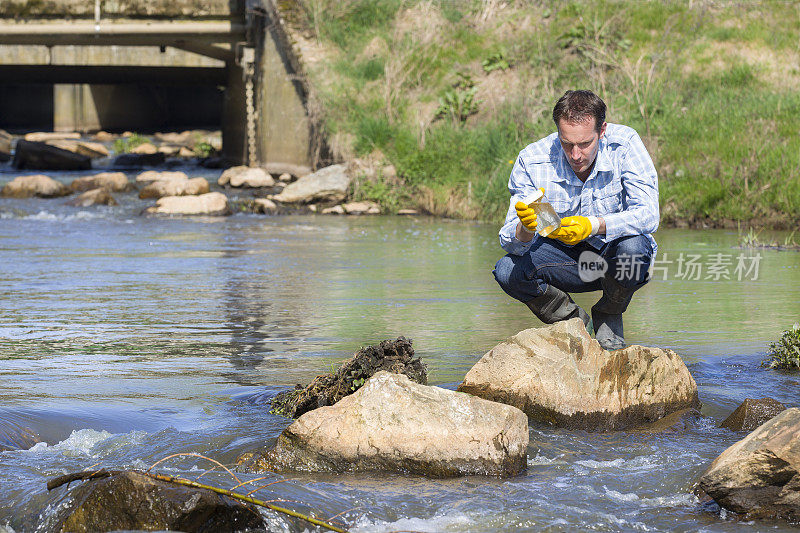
(561, 376)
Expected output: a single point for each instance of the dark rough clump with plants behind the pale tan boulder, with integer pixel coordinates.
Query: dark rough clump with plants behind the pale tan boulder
(392, 356)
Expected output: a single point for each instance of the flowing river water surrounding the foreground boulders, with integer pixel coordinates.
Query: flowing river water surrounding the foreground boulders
(124, 339)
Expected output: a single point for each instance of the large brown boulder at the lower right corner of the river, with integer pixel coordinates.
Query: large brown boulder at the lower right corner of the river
(759, 476)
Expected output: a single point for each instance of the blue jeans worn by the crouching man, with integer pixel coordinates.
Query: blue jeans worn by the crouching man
(550, 262)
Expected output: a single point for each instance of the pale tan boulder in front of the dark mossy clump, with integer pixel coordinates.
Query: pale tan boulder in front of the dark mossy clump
(394, 424)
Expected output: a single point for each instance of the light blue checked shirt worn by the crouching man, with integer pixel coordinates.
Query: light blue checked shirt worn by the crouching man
(622, 188)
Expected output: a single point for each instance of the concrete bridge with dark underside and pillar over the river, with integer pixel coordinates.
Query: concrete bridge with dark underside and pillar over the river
(146, 65)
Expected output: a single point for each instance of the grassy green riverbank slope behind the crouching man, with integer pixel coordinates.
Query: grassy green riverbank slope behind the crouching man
(448, 93)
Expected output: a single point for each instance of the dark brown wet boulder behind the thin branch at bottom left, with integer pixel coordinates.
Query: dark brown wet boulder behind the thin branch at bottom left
(133, 501)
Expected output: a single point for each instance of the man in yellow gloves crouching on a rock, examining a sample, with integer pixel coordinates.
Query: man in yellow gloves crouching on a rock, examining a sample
(601, 180)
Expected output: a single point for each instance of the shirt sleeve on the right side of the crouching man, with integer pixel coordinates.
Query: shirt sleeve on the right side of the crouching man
(640, 214)
